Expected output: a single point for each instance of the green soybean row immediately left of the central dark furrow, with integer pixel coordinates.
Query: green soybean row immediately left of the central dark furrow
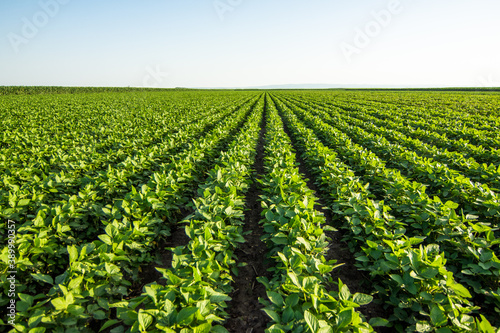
(192, 295)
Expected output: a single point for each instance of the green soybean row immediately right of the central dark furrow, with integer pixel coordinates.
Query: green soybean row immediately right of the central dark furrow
(300, 295)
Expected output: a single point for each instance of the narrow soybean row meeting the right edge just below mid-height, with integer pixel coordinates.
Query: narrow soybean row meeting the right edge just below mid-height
(457, 162)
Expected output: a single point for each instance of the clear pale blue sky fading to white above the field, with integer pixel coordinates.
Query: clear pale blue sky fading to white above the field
(240, 43)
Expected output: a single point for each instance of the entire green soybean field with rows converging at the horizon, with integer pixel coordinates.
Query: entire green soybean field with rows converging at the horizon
(196, 211)
